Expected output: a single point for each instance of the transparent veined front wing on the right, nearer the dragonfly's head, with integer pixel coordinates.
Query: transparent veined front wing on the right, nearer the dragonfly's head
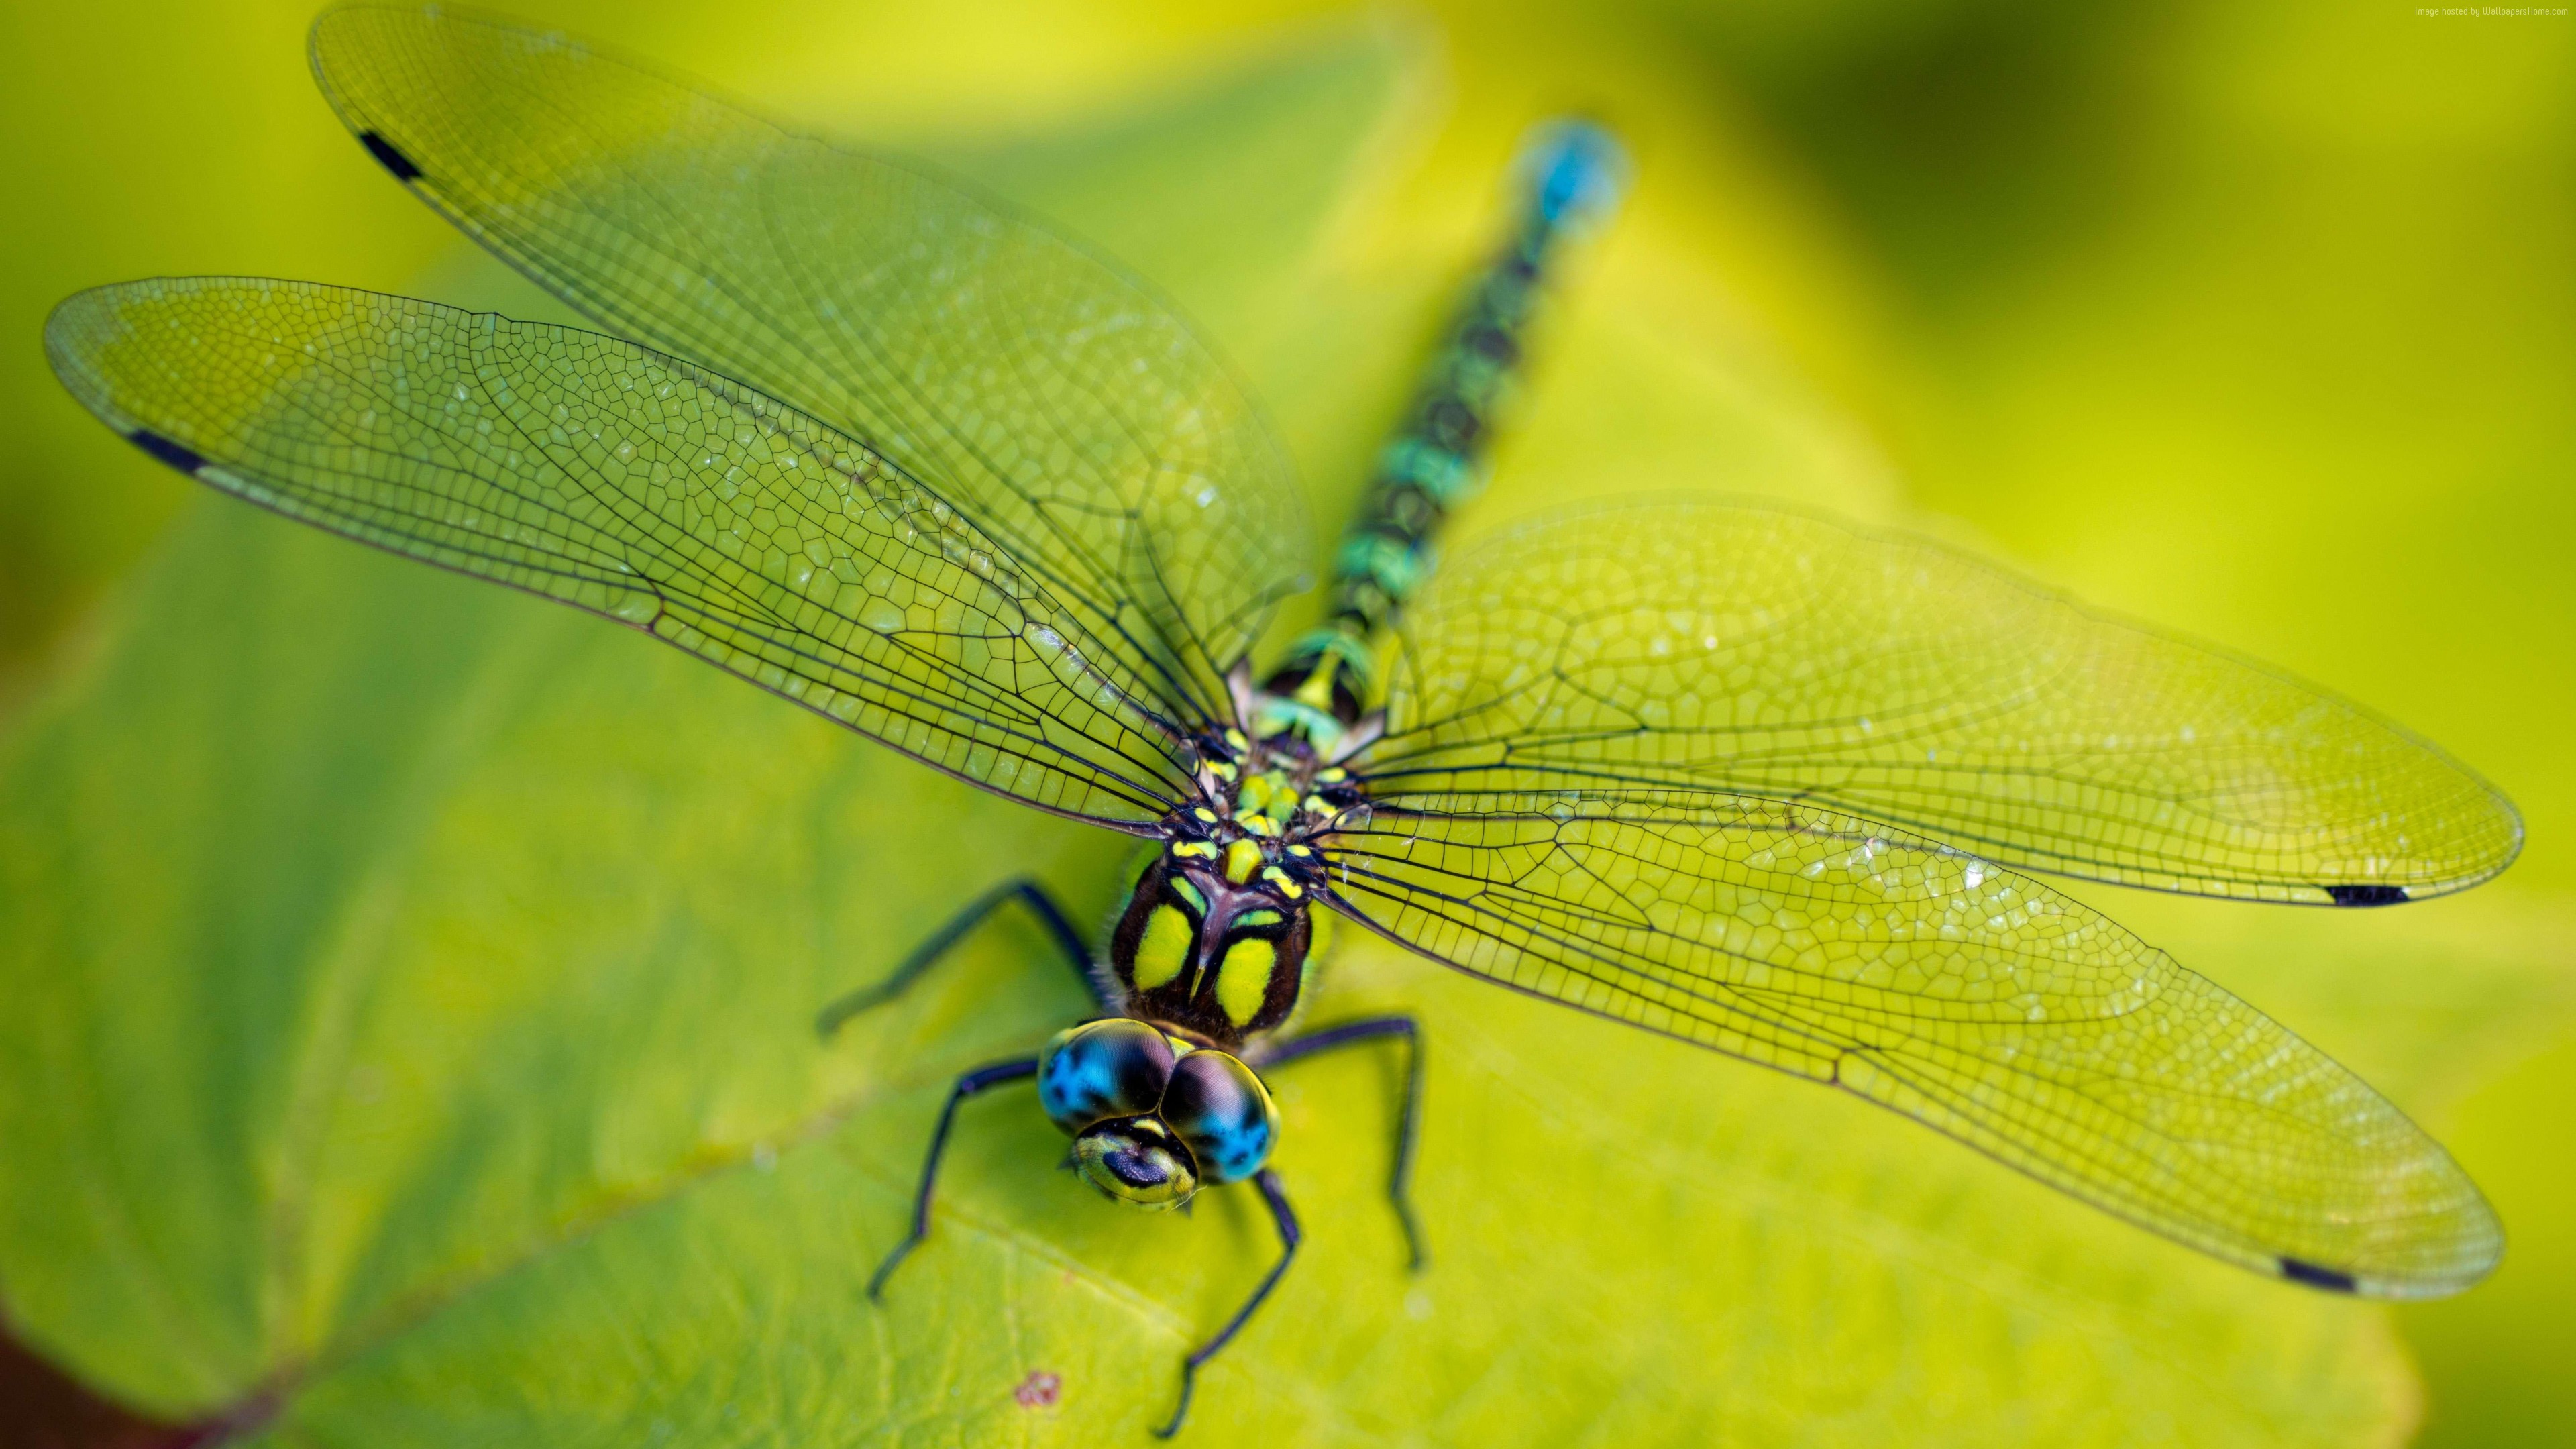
(1949, 989)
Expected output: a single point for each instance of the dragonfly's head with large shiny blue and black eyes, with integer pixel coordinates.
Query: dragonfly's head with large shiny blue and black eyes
(1155, 1118)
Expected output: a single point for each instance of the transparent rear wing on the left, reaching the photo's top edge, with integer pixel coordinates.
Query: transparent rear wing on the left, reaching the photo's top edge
(1060, 404)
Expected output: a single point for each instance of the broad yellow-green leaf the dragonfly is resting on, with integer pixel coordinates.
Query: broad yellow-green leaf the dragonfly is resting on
(406, 1007)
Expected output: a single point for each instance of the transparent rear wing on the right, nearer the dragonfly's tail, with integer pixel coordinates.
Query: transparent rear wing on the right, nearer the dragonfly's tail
(1784, 656)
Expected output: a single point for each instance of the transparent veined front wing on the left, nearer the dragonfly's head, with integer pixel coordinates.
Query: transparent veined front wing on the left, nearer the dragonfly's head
(640, 489)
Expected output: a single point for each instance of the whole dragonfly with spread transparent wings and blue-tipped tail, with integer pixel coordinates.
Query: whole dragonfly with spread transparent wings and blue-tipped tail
(1738, 775)
